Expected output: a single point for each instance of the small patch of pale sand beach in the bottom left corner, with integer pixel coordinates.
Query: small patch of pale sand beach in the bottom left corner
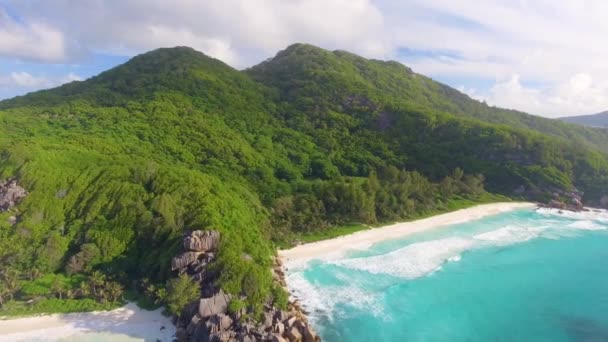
(128, 323)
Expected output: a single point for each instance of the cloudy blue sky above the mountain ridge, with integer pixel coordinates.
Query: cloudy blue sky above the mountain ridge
(544, 57)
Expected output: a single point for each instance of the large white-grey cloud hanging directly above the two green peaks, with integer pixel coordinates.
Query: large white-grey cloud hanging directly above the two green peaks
(240, 32)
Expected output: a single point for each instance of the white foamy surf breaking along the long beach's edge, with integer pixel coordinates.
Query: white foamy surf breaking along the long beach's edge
(421, 259)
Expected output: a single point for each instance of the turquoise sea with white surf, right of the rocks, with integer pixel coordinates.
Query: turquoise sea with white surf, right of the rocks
(527, 275)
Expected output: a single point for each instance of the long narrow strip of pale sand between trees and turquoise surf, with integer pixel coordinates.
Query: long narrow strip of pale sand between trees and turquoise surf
(366, 238)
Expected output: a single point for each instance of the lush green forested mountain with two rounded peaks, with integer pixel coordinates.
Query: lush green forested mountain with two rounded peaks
(119, 166)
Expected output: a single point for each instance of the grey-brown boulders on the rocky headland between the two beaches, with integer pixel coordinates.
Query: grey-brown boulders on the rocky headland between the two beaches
(209, 319)
